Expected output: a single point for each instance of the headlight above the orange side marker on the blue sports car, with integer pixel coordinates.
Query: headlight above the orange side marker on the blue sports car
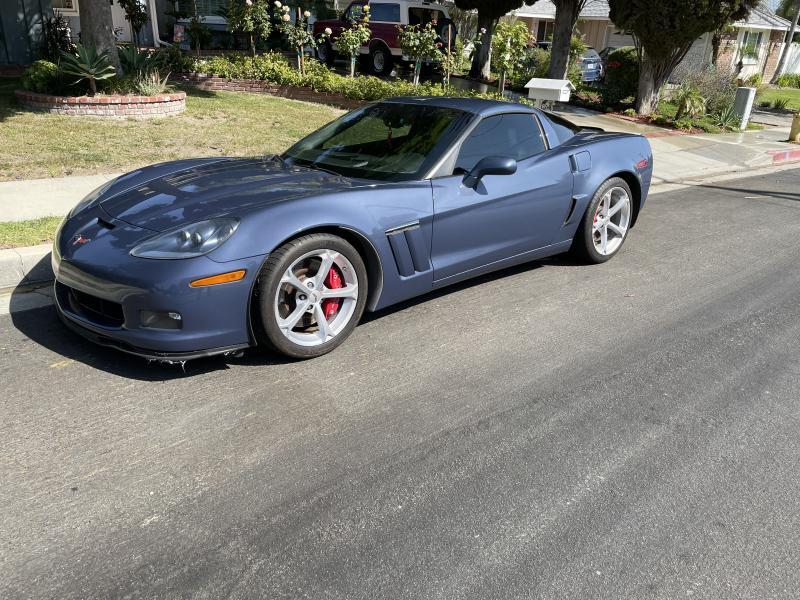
(189, 241)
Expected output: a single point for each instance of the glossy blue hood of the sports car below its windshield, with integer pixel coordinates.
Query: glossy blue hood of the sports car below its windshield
(170, 195)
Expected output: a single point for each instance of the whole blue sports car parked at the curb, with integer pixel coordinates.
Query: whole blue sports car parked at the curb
(209, 256)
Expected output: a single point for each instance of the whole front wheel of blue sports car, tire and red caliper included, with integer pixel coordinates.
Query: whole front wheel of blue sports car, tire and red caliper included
(311, 295)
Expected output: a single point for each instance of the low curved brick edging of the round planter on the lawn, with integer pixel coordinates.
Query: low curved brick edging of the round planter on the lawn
(161, 105)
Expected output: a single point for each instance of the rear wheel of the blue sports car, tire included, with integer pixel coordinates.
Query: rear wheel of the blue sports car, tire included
(605, 224)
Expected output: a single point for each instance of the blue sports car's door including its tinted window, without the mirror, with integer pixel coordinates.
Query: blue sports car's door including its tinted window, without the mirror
(502, 216)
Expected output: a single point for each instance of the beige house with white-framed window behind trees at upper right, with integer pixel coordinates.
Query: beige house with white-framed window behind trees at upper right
(753, 45)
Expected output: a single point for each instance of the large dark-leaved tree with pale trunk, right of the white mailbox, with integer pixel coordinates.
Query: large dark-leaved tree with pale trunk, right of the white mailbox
(663, 32)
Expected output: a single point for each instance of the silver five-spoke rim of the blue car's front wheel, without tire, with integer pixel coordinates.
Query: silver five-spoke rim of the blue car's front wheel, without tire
(299, 309)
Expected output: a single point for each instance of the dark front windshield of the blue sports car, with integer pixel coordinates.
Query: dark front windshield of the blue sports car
(386, 141)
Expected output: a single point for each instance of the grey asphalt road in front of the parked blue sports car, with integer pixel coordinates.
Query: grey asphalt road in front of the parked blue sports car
(627, 430)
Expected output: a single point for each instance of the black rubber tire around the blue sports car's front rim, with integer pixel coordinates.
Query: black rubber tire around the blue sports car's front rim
(269, 333)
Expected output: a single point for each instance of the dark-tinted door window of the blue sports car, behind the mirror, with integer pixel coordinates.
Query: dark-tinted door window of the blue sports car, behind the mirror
(516, 135)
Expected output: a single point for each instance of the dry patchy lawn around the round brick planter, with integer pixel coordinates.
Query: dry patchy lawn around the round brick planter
(36, 145)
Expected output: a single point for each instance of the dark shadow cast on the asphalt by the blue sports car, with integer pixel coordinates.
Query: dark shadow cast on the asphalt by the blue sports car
(41, 325)
